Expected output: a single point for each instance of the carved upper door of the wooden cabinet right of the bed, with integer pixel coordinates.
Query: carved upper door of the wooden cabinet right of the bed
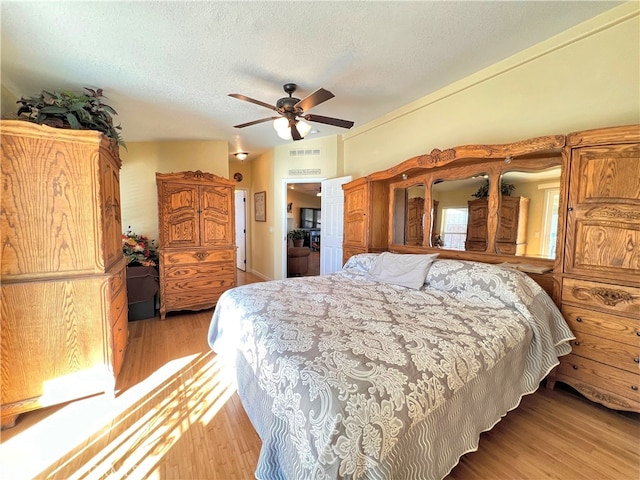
(603, 217)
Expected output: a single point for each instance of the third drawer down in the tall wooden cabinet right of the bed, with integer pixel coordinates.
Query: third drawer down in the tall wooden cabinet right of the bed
(619, 355)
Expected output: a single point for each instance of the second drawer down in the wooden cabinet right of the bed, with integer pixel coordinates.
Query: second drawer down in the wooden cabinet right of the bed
(612, 327)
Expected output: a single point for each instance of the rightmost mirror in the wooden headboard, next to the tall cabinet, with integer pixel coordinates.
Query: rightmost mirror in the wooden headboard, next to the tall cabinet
(528, 220)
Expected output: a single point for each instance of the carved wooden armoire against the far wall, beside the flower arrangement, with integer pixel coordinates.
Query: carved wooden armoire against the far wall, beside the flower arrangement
(197, 248)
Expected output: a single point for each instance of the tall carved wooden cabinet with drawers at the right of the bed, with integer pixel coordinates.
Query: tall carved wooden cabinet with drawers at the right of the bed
(601, 267)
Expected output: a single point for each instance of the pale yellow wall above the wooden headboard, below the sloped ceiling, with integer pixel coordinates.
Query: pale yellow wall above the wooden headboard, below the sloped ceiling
(586, 77)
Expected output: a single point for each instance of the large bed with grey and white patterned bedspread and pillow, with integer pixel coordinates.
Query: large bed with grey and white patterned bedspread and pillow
(390, 368)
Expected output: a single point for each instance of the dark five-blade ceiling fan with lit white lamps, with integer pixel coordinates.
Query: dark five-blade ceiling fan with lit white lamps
(292, 109)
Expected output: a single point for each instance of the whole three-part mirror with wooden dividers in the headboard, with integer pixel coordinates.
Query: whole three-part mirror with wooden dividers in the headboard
(457, 204)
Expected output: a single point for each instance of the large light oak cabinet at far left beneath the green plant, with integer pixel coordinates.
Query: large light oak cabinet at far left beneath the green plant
(64, 299)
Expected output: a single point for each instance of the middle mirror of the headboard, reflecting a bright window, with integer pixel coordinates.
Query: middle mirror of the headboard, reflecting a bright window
(456, 225)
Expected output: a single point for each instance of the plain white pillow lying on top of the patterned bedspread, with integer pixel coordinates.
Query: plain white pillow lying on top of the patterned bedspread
(407, 270)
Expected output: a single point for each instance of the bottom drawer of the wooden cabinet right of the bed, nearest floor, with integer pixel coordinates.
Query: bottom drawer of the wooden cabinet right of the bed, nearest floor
(596, 376)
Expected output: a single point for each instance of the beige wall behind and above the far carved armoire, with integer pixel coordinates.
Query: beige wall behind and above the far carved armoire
(142, 160)
